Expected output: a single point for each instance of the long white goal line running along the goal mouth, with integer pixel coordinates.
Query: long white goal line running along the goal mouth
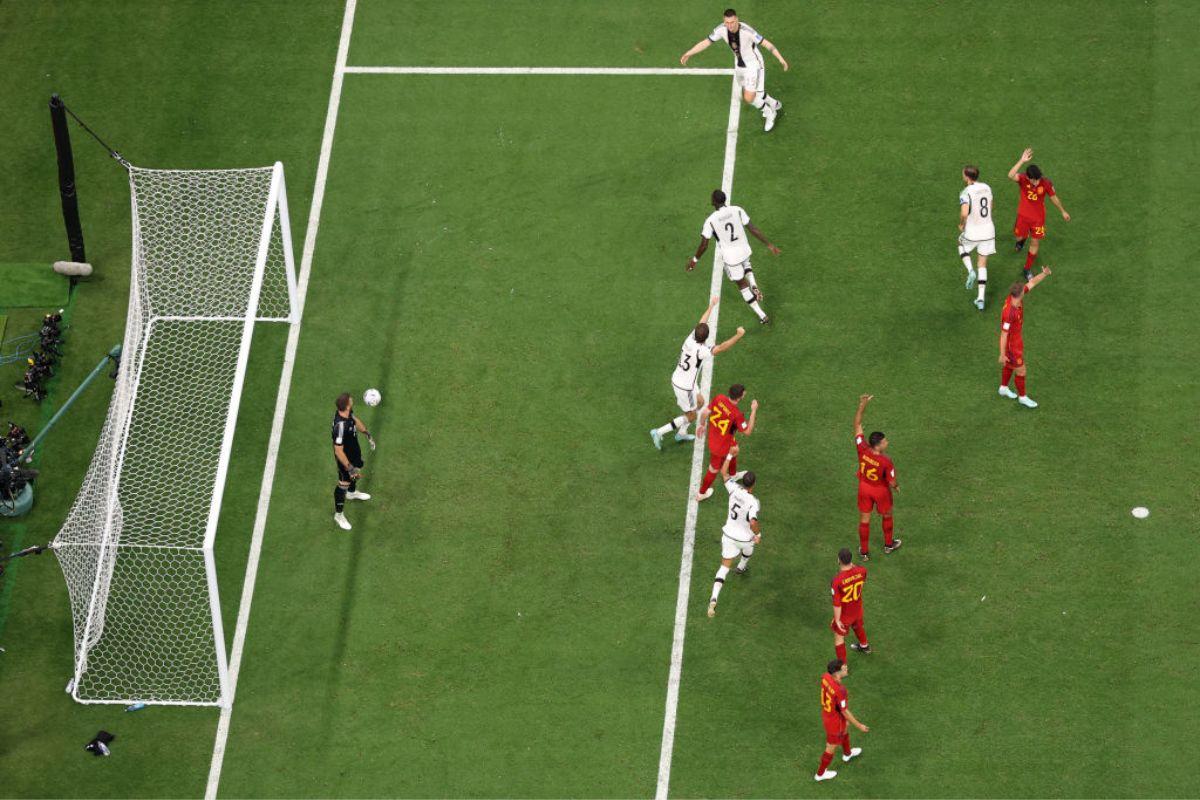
(281, 402)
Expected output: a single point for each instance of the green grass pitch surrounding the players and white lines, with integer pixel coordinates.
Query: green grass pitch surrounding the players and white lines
(503, 258)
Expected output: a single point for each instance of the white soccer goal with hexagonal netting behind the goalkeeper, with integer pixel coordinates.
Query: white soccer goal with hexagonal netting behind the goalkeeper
(212, 257)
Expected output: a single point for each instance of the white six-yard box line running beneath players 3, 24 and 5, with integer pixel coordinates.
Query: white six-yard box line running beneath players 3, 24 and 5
(698, 468)
